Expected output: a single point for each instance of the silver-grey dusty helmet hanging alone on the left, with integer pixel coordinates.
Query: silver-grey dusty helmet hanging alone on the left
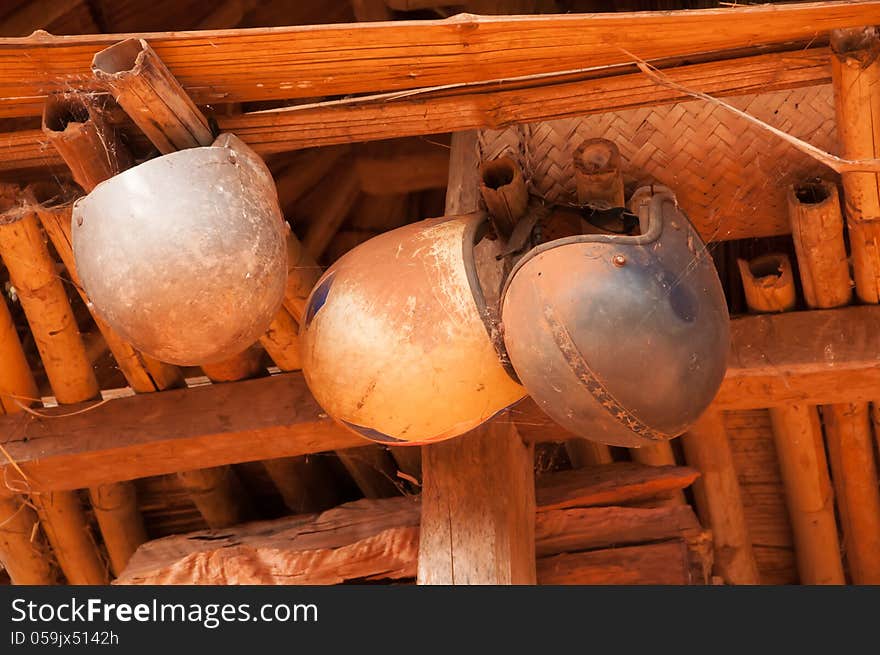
(184, 255)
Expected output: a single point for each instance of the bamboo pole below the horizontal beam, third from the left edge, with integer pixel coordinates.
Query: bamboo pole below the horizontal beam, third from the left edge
(120, 520)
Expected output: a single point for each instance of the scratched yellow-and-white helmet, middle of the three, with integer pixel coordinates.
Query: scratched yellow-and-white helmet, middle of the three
(394, 343)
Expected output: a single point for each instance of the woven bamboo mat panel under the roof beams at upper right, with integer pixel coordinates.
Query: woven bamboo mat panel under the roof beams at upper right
(729, 175)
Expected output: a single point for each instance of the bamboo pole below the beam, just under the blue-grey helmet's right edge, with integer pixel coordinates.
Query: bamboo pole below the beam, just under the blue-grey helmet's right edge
(718, 497)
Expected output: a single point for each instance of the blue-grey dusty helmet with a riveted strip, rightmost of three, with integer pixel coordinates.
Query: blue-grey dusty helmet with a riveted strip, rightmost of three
(620, 339)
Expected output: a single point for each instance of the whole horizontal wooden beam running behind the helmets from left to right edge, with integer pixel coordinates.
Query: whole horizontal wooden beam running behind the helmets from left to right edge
(276, 416)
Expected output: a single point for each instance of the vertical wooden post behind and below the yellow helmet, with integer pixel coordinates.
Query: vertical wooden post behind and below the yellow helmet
(478, 490)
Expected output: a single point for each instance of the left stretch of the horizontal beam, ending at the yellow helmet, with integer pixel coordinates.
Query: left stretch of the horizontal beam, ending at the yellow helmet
(154, 434)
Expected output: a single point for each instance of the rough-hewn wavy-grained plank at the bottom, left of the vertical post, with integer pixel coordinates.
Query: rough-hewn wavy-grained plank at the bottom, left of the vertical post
(363, 540)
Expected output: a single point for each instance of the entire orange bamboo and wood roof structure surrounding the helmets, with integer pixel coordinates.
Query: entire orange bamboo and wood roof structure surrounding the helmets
(374, 114)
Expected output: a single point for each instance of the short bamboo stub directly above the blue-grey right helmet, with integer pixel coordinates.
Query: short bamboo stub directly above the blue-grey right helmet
(597, 173)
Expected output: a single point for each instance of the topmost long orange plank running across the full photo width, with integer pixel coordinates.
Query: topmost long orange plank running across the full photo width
(298, 62)
